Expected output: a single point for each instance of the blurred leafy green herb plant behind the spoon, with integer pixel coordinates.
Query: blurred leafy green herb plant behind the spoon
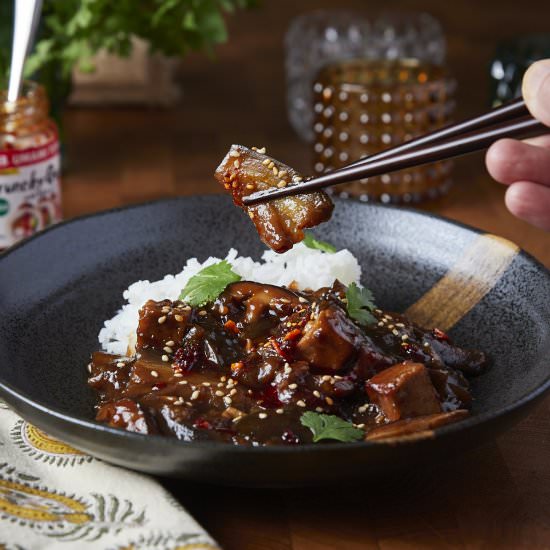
(72, 31)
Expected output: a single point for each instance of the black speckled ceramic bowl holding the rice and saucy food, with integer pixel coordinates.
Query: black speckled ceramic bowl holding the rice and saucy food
(57, 289)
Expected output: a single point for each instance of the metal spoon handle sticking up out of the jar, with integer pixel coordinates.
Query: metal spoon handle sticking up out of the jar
(27, 15)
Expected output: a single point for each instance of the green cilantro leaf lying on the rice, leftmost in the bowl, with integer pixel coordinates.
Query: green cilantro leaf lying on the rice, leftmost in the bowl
(208, 283)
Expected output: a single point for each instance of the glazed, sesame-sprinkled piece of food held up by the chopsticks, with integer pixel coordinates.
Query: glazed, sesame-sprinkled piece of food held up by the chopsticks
(280, 223)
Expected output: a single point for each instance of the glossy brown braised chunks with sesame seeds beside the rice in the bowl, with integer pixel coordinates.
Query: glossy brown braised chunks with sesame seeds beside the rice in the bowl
(245, 367)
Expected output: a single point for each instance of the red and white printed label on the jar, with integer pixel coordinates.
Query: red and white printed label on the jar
(30, 191)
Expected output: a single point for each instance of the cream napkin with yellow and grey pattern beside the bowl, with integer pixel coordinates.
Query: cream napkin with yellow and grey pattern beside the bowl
(55, 497)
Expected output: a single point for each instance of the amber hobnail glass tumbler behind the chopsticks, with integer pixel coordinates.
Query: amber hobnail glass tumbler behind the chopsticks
(362, 107)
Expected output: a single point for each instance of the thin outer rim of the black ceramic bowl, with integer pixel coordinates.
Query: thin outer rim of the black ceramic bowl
(278, 449)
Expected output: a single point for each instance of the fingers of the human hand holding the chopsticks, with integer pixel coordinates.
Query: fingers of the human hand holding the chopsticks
(525, 165)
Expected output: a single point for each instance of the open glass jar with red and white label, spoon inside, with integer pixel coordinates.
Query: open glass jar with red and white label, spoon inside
(30, 193)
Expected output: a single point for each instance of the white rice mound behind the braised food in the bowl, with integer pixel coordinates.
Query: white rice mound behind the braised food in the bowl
(309, 268)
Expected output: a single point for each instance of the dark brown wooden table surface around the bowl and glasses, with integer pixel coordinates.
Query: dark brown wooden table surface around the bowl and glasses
(495, 497)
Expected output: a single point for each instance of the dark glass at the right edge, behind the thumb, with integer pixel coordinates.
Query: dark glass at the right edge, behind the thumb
(511, 60)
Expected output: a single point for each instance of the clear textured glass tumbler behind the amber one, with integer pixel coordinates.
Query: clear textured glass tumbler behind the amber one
(315, 39)
